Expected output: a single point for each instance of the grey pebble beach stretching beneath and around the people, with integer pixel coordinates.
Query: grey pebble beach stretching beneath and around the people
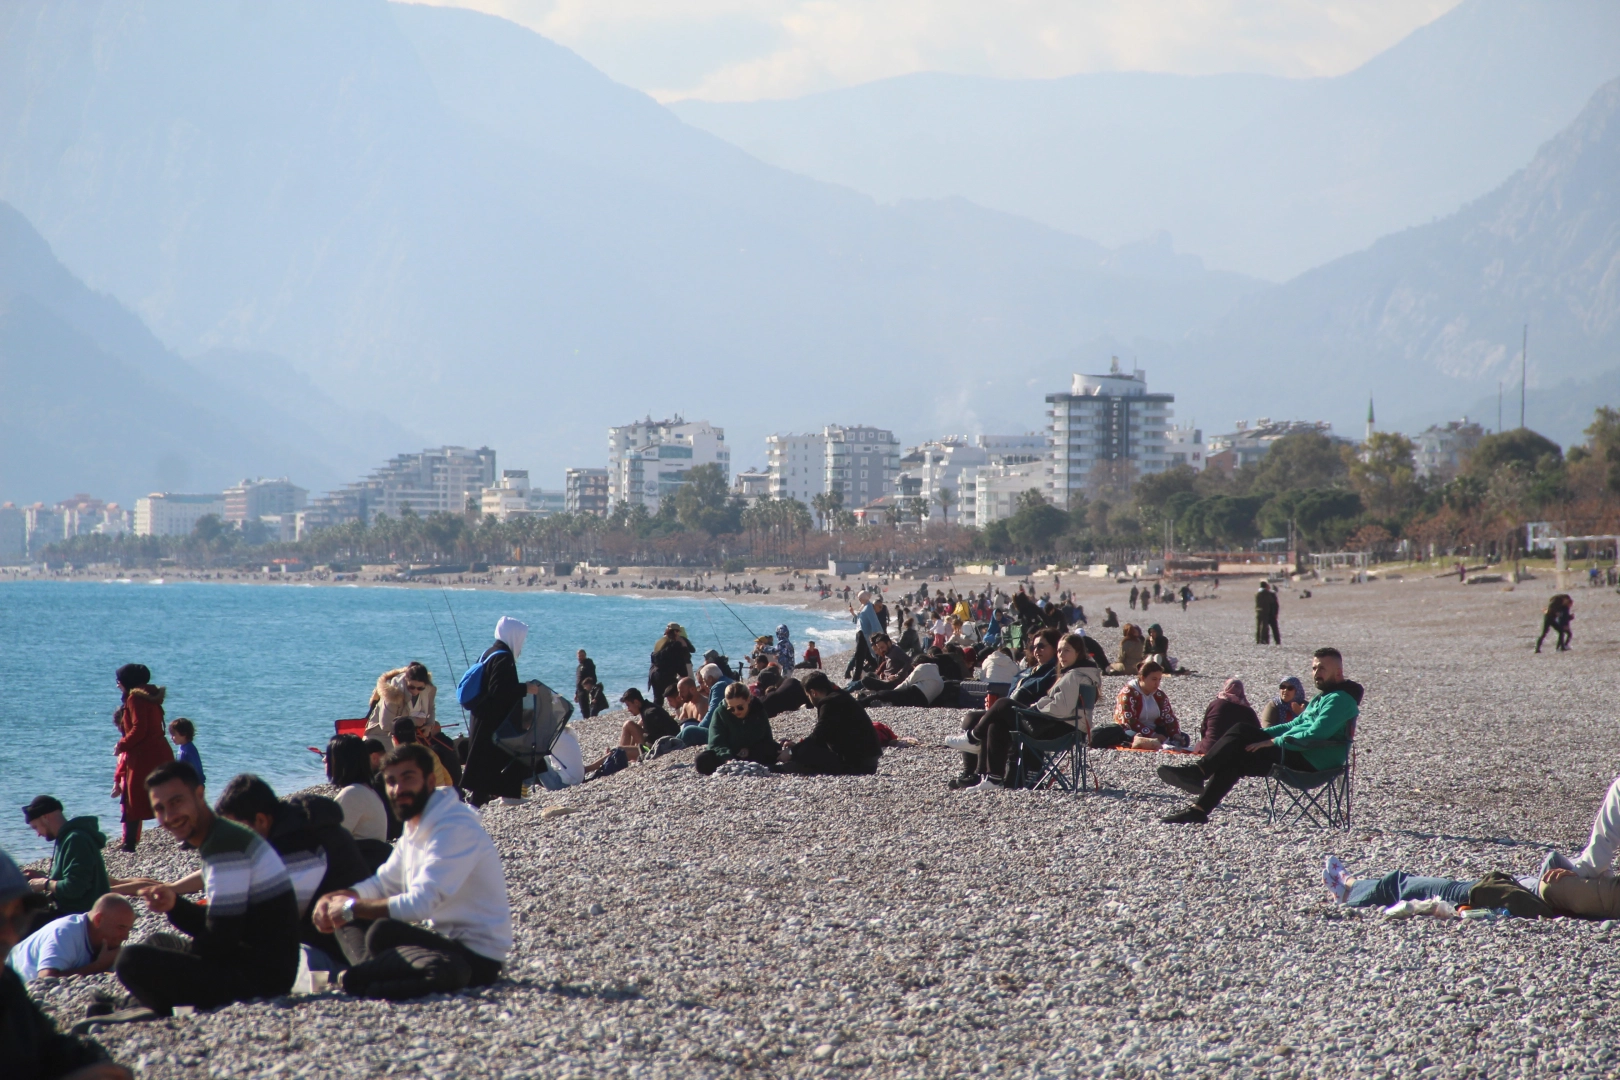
(671, 925)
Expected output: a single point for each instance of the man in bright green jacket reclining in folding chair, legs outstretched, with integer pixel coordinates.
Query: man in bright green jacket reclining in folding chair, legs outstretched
(1313, 742)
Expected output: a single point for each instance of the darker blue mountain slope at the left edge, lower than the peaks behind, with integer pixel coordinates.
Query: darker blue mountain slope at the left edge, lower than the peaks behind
(93, 402)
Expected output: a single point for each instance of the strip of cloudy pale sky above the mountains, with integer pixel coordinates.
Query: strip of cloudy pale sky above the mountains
(767, 49)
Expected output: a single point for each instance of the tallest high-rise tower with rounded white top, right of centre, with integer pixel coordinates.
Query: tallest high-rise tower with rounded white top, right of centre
(1106, 420)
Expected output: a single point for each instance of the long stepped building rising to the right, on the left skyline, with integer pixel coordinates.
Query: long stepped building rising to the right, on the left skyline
(432, 482)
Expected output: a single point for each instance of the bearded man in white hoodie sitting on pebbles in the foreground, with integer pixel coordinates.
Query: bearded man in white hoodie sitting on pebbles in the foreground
(438, 909)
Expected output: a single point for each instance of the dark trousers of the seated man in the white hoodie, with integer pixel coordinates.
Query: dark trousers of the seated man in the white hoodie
(399, 961)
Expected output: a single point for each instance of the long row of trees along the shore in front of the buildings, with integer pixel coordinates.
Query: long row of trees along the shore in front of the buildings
(1326, 495)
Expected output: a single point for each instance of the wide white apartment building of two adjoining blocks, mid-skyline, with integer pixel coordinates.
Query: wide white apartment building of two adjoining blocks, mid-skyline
(859, 462)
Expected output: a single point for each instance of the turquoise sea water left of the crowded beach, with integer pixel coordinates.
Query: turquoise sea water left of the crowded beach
(265, 670)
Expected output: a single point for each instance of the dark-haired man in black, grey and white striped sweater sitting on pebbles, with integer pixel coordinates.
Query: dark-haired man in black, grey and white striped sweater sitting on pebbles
(245, 940)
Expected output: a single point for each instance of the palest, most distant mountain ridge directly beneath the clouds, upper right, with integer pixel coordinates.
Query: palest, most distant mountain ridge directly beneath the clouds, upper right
(1256, 174)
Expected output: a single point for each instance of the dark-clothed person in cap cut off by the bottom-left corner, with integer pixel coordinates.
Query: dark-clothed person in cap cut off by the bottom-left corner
(30, 1045)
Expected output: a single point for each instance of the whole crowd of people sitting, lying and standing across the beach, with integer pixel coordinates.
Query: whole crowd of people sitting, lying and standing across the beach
(391, 888)
